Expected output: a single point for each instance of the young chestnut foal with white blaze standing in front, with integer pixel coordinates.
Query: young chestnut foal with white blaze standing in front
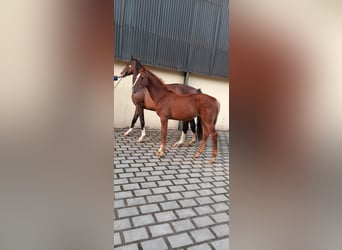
(170, 105)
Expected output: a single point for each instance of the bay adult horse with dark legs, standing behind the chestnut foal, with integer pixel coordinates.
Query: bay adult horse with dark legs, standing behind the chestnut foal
(143, 100)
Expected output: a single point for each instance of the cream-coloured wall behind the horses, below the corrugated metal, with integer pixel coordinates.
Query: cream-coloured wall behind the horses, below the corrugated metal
(124, 107)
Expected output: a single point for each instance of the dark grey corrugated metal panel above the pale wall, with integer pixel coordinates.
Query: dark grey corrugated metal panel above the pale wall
(186, 35)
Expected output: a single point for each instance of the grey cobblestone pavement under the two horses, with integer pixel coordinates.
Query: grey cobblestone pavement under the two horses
(176, 202)
